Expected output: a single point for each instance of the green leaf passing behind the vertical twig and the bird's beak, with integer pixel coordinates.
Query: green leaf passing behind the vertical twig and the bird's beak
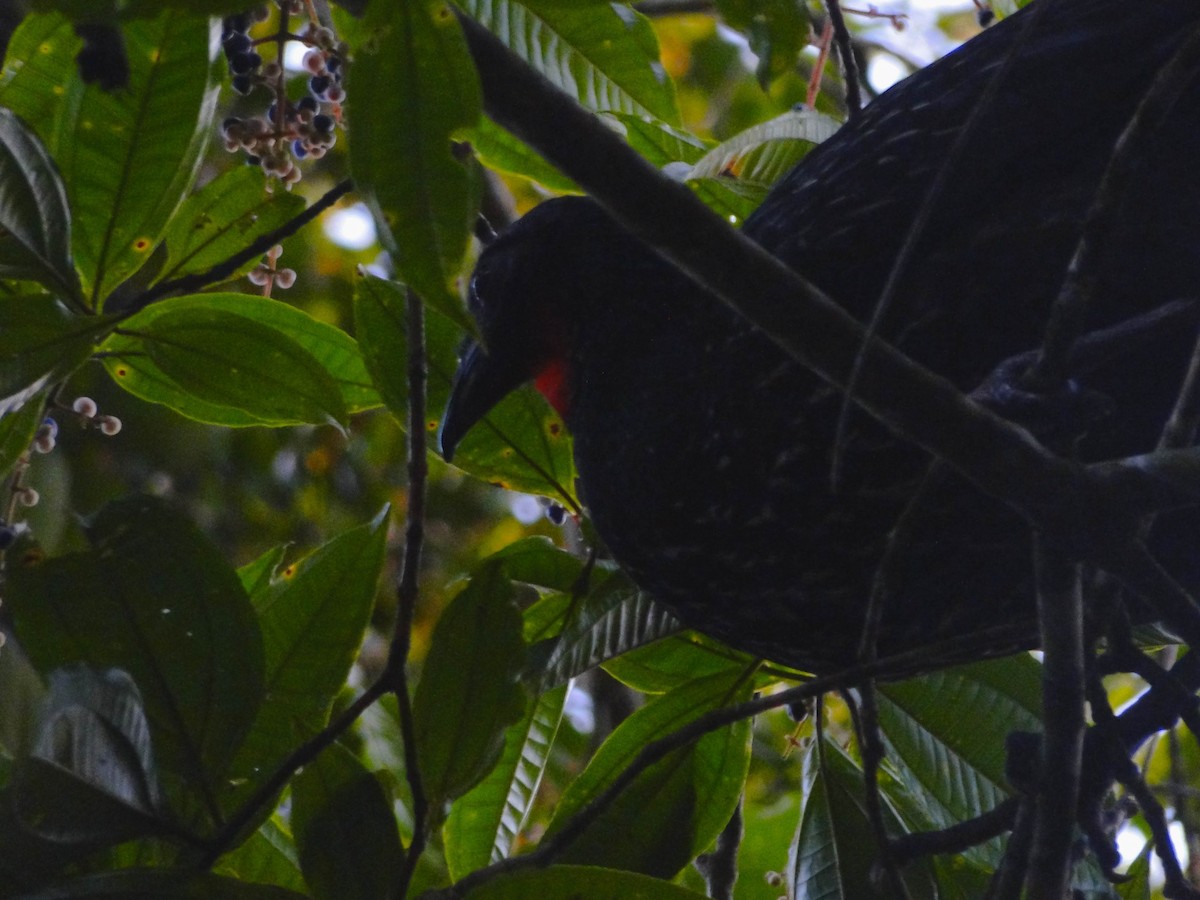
(523, 445)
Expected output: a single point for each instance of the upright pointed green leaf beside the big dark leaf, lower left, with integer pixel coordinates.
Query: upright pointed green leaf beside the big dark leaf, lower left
(313, 617)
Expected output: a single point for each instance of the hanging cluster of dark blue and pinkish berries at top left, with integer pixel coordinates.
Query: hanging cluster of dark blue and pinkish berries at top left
(291, 130)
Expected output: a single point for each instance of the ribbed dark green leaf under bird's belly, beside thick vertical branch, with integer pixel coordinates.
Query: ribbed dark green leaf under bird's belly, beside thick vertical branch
(946, 737)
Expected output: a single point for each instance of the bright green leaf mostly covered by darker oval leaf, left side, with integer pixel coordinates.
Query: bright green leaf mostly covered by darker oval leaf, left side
(337, 352)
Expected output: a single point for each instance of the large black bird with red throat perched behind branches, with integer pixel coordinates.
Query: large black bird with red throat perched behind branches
(705, 454)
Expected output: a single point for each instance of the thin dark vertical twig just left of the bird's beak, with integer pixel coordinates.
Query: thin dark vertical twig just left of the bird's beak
(407, 590)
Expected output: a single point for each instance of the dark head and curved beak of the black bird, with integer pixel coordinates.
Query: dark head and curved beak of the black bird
(527, 296)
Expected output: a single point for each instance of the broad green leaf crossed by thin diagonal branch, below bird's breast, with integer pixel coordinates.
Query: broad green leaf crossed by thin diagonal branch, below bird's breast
(674, 811)
